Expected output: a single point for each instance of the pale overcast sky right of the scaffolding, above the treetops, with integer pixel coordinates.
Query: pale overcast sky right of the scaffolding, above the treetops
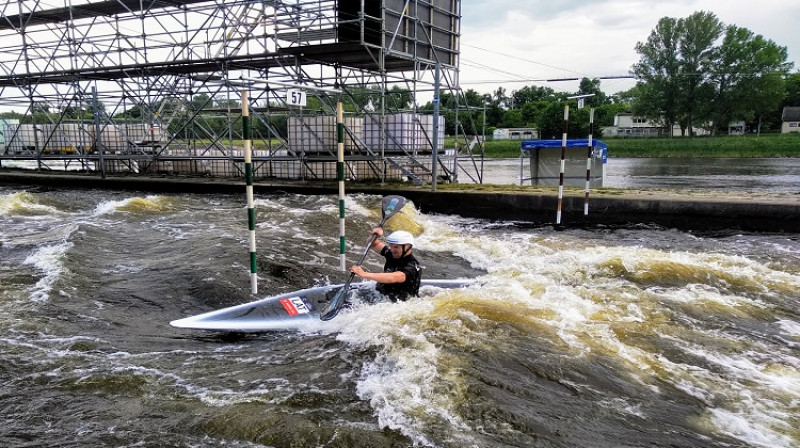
(512, 43)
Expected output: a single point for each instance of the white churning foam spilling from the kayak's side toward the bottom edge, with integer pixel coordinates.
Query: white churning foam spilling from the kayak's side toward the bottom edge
(408, 384)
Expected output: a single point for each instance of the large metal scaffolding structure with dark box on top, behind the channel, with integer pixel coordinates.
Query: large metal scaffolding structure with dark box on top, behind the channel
(153, 86)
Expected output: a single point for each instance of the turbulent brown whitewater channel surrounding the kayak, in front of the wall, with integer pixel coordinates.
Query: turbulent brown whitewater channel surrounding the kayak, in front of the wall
(606, 337)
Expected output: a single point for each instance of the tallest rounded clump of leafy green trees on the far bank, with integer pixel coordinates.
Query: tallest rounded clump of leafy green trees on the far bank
(689, 76)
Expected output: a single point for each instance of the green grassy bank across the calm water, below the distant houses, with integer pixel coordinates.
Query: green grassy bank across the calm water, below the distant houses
(766, 145)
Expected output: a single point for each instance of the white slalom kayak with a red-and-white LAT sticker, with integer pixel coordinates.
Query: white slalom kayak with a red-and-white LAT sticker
(292, 310)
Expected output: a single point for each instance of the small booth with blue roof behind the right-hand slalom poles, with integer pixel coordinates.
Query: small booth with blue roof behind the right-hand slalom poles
(545, 162)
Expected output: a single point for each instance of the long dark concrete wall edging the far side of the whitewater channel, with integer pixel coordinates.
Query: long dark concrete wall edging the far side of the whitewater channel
(671, 211)
